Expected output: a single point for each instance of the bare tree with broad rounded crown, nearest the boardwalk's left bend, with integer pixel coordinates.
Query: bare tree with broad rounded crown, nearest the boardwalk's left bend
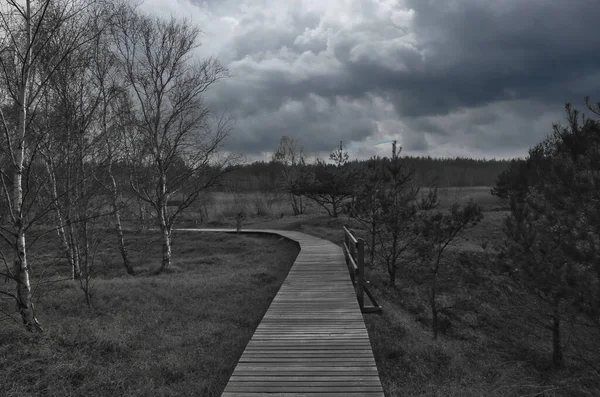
(175, 148)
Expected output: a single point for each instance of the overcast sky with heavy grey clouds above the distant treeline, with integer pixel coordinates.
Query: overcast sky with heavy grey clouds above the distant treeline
(478, 78)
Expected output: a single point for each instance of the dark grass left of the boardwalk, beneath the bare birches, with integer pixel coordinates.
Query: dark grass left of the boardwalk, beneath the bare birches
(178, 334)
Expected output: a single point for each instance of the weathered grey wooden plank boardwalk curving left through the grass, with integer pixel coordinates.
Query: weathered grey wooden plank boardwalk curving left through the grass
(312, 340)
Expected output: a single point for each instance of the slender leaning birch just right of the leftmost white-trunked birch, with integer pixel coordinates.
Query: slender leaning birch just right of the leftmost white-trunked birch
(71, 107)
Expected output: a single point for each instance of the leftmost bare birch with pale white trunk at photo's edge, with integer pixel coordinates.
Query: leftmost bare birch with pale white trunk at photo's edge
(28, 29)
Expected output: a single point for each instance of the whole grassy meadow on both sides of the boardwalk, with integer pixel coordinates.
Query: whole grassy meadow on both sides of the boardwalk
(181, 333)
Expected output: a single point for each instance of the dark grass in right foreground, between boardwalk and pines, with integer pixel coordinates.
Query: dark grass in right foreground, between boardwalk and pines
(492, 346)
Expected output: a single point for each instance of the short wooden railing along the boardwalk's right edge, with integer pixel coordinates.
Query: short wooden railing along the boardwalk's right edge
(354, 252)
